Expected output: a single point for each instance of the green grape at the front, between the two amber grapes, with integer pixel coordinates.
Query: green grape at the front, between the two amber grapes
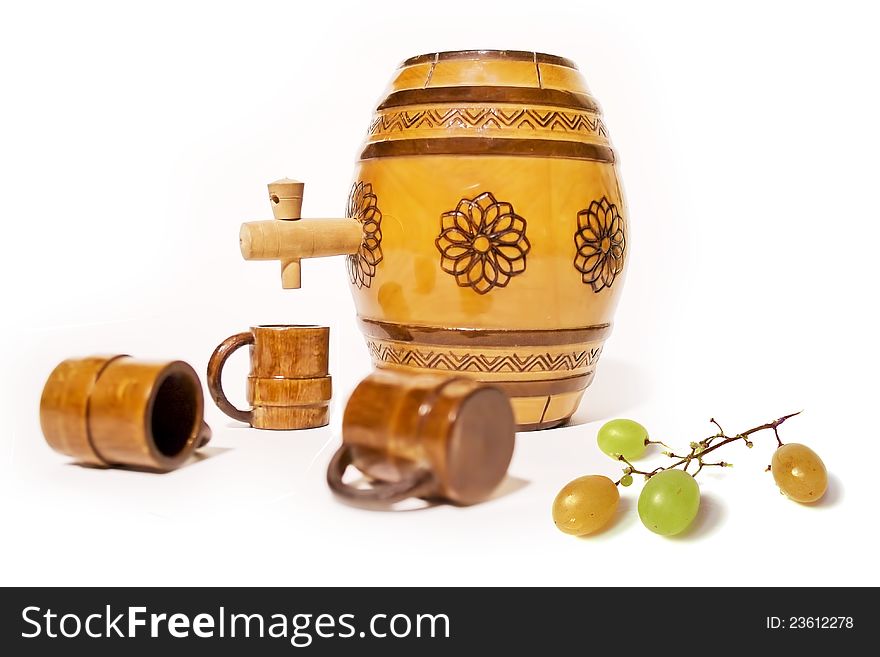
(669, 502)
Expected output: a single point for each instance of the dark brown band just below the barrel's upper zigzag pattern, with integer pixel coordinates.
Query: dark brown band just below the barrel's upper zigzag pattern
(551, 148)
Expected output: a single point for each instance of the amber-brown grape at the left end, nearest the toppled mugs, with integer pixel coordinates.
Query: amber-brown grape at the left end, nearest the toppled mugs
(585, 505)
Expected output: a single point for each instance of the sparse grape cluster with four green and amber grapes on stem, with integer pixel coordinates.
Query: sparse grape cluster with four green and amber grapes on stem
(670, 499)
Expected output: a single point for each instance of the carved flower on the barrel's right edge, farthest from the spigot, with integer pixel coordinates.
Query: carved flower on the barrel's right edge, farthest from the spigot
(600, 243)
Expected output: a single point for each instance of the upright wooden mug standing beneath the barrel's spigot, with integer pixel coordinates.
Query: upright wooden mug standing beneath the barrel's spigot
(288, 386)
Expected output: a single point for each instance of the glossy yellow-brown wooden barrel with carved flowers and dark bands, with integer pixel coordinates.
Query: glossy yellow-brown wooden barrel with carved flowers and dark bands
(495, 228)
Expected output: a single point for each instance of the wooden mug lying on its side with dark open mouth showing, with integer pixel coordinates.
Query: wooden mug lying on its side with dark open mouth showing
(119, 411)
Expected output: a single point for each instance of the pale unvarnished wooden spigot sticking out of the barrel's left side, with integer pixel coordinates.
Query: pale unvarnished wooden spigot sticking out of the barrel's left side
(289, 238)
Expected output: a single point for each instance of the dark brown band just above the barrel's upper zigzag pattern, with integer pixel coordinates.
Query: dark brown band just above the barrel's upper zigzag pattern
(487, 94)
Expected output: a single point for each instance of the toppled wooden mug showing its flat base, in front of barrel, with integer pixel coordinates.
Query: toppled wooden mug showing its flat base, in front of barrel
(423, 436)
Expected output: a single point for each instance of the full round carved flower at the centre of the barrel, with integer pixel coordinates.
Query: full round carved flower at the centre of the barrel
(482, 243)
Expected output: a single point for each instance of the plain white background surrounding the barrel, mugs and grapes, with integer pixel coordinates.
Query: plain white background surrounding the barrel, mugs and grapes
(134, 139)
